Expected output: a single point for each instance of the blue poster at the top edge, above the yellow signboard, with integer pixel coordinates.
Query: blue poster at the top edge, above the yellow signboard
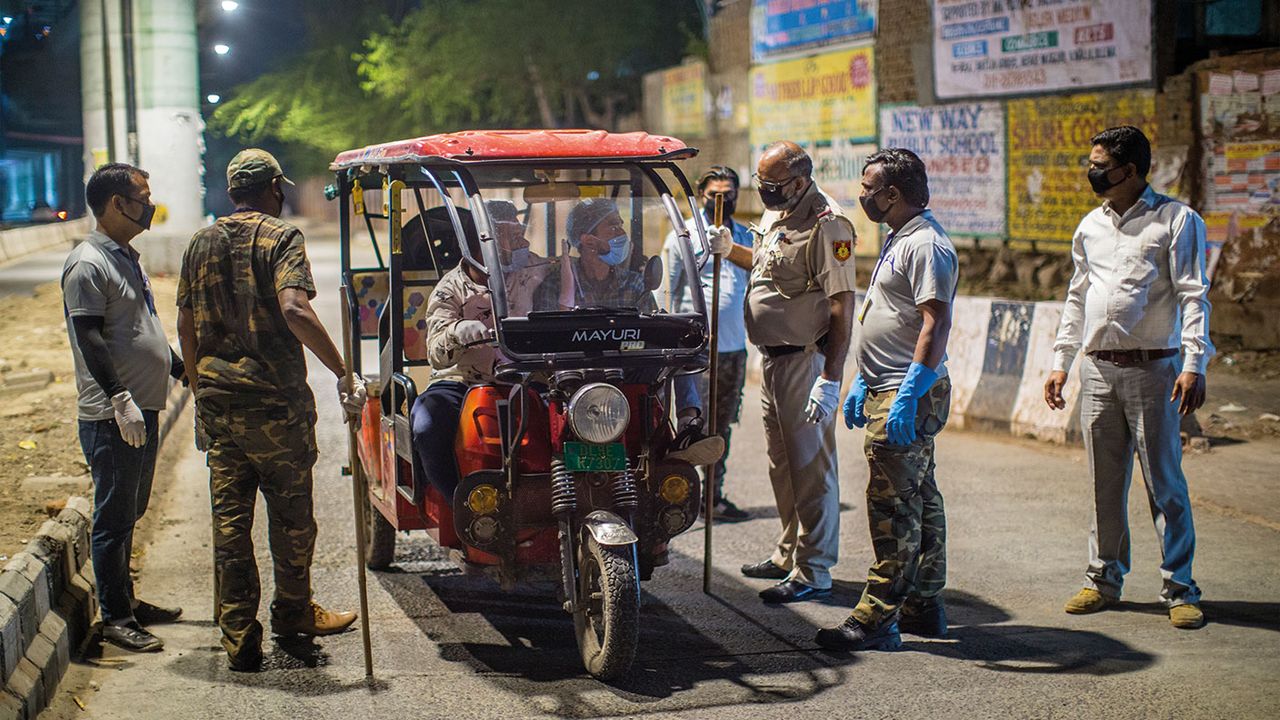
(789, 26)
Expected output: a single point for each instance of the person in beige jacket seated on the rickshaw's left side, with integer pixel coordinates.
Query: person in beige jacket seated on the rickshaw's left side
(459, 322)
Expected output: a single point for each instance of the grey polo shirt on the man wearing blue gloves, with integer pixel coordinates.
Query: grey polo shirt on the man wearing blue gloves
(917, 265)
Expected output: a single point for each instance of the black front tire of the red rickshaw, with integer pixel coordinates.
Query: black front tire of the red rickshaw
(620, 585)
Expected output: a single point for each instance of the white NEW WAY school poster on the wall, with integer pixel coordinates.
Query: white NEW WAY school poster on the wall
(963, 148)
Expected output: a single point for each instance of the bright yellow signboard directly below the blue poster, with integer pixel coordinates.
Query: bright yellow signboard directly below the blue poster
(820, 99)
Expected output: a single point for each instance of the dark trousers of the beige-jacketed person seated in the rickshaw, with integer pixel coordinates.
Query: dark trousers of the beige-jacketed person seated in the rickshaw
(435, 429)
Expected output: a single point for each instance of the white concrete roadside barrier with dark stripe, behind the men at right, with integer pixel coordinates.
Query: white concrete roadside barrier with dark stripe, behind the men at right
(999, 357)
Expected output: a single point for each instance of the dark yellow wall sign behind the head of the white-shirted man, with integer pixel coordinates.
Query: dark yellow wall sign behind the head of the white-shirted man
(1049, 151)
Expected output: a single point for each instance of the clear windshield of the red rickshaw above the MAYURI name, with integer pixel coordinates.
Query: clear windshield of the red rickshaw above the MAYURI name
(592, 238)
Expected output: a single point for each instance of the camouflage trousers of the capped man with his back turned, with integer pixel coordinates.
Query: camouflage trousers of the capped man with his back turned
(268, 448)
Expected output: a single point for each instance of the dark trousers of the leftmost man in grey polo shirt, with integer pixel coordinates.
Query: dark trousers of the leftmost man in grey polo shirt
(122, 489)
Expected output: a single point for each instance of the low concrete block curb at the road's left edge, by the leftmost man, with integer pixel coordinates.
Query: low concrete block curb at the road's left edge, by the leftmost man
(48, 600)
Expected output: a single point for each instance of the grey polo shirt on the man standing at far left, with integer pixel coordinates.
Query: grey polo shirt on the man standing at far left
(102, 279)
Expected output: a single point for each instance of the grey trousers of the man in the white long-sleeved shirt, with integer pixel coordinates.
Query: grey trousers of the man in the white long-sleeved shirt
(1127, 411)
